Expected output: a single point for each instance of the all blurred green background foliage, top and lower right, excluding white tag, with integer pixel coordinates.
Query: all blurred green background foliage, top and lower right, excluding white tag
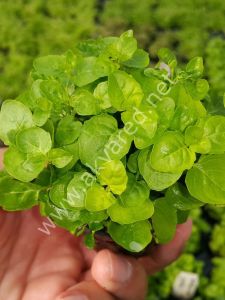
(30, 28)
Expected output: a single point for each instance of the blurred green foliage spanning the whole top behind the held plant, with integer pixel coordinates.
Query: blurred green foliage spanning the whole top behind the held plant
(195, 29)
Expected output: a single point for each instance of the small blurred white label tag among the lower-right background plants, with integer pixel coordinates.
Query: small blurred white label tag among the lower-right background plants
(185, 285)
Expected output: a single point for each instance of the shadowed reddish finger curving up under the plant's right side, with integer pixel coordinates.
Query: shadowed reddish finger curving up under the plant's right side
(162, 255)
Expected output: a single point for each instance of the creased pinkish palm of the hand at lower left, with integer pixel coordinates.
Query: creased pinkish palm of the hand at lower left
(33, 264)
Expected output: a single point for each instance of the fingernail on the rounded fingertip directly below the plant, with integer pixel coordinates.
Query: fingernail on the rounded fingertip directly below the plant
(120, 268)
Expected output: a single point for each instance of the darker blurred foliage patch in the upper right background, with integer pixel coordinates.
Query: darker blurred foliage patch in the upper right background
(195, 28)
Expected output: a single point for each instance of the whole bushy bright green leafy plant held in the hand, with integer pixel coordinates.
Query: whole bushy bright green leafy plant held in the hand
(102, 141)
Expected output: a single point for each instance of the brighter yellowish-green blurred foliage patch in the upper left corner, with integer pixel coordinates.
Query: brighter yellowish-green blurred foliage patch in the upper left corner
(38, 27)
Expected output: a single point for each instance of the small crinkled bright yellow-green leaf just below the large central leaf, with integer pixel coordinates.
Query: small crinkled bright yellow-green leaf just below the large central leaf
(113, 174)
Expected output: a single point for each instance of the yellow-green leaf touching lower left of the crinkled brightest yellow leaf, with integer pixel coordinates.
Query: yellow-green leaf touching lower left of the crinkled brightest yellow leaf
(97, 198)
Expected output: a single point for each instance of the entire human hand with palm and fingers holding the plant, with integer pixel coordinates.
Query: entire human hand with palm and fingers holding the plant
(35, 266)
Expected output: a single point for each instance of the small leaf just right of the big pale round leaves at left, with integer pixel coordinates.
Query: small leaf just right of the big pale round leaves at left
(59, 157)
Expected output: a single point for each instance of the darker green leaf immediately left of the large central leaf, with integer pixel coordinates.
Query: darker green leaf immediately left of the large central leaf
(68, 131)
